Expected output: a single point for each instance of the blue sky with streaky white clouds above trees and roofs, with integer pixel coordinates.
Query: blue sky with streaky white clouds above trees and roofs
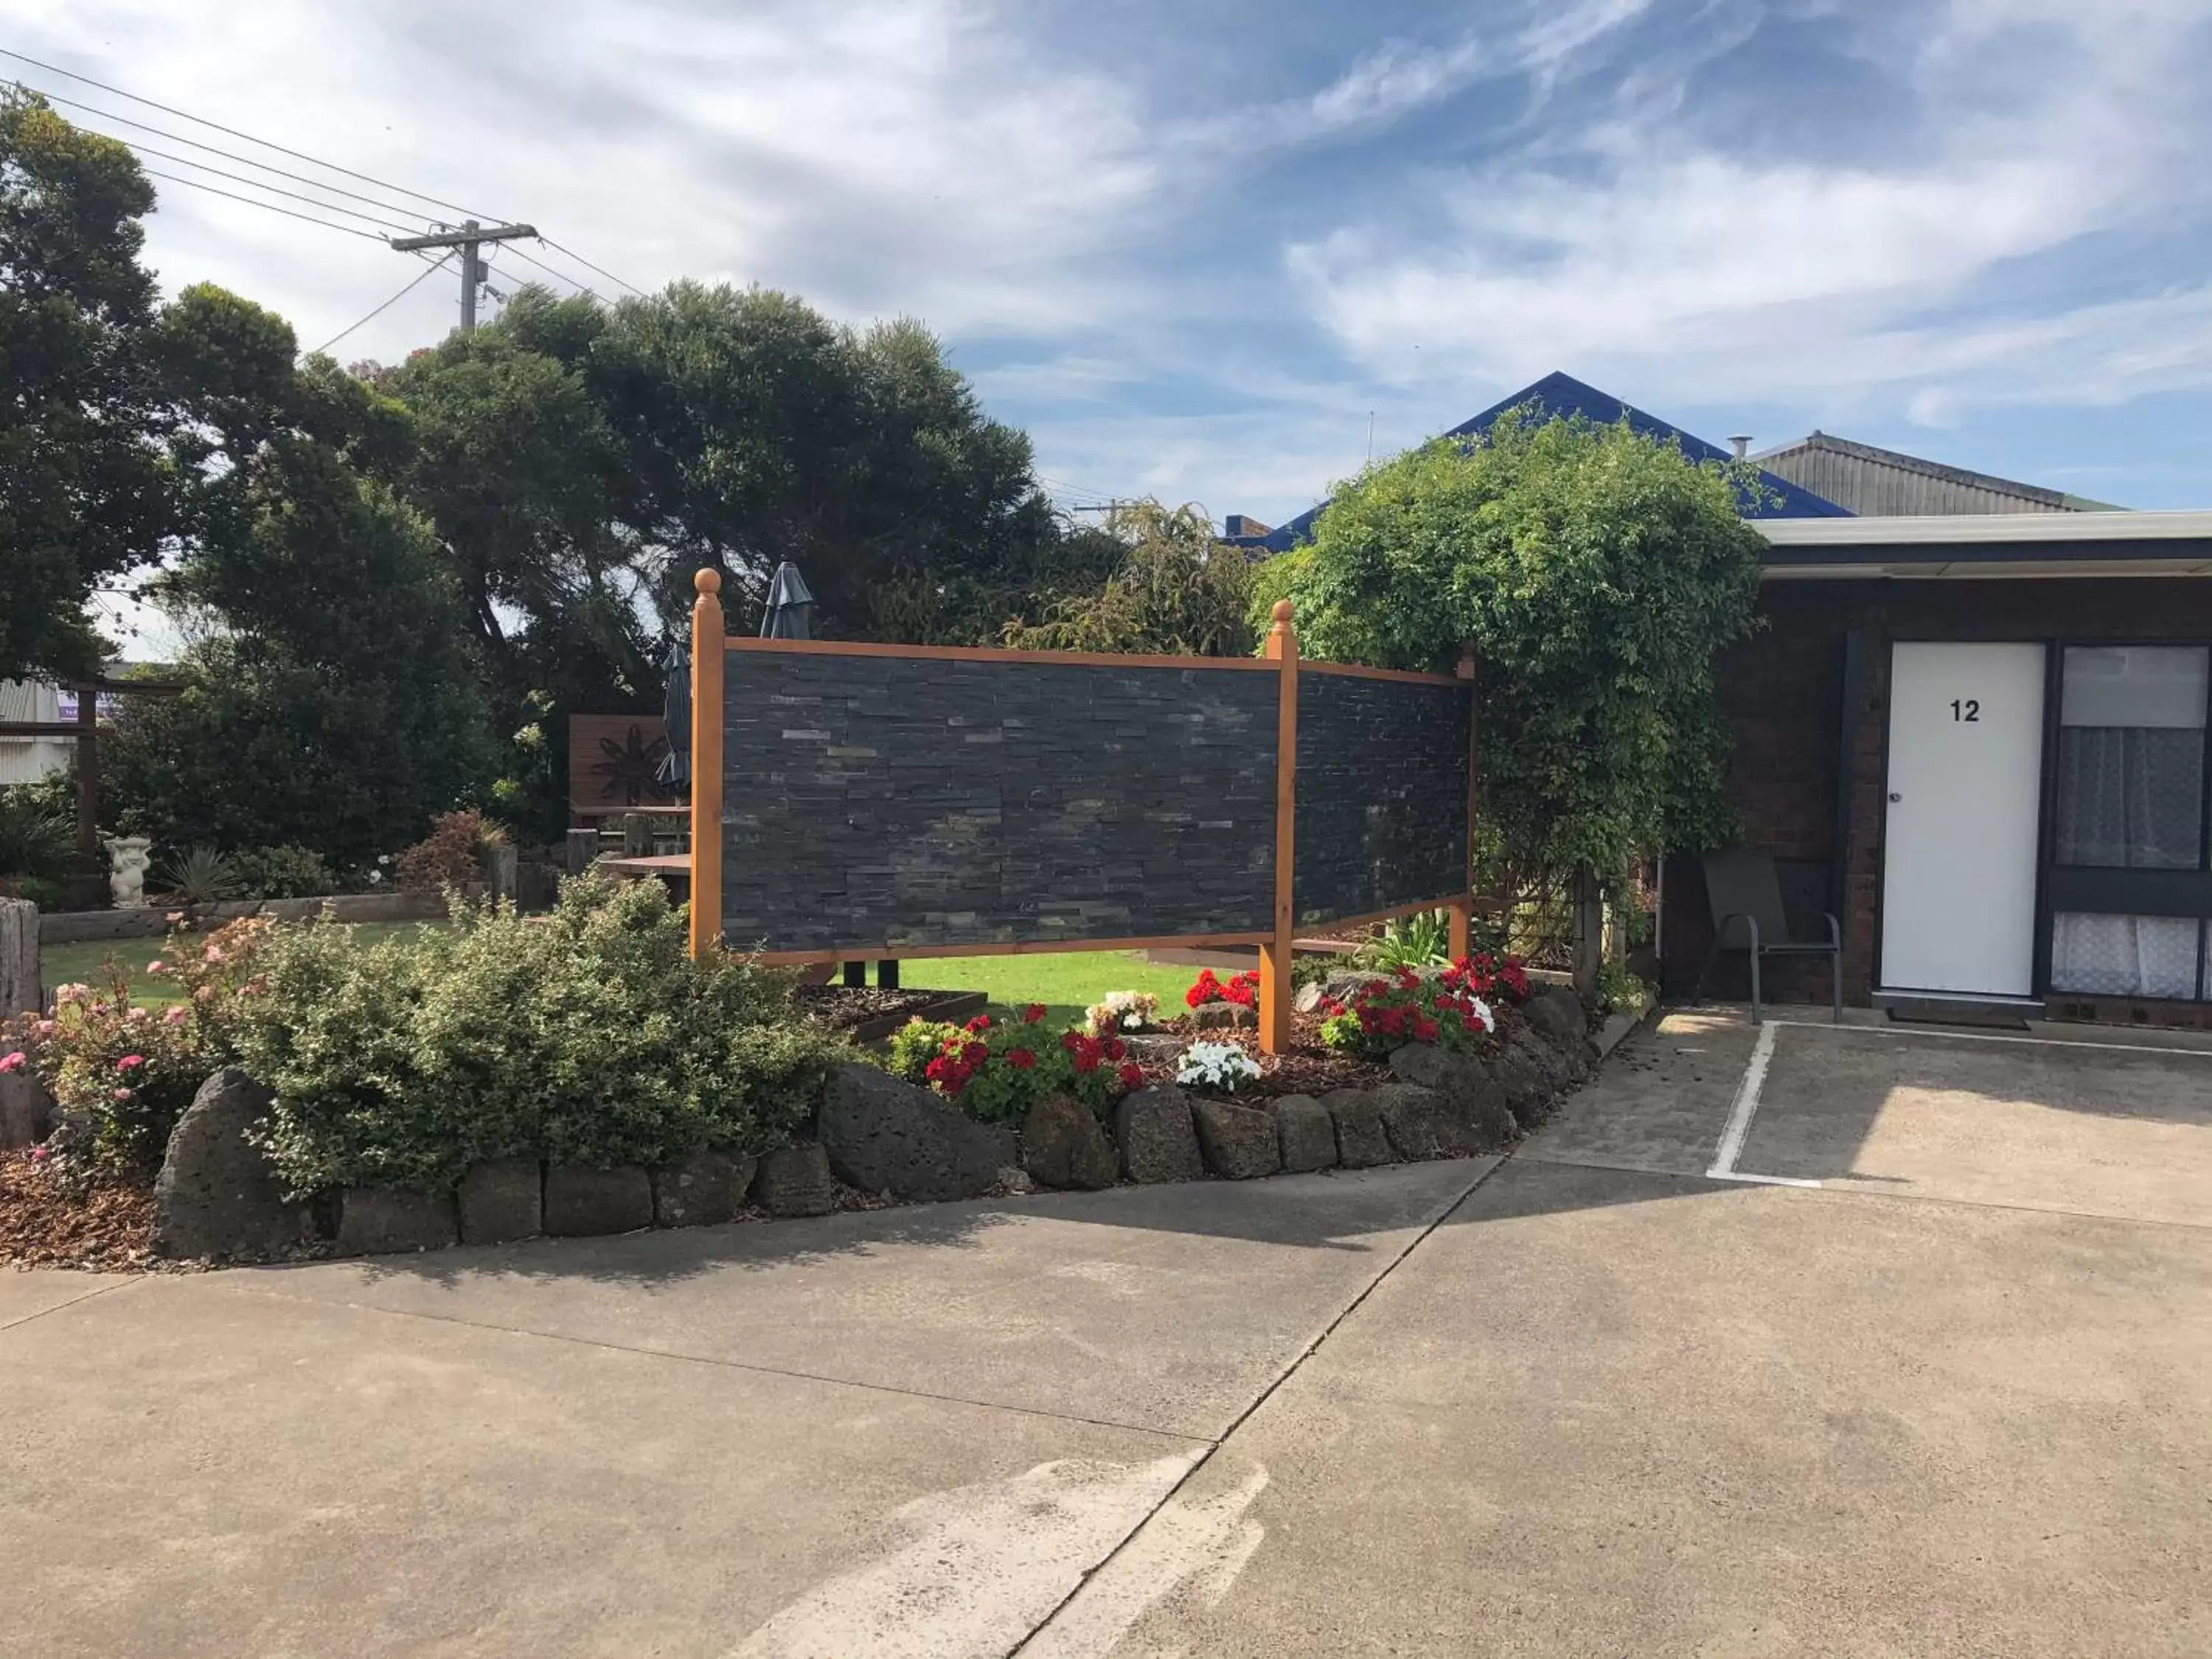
(1222, 251)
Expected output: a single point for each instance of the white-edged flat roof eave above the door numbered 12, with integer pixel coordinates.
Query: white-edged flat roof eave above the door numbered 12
(1990, 545)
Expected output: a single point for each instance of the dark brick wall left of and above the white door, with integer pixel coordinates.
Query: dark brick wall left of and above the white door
(1782, 696)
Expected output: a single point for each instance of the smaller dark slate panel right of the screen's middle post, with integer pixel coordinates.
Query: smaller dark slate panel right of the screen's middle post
(1381, 795)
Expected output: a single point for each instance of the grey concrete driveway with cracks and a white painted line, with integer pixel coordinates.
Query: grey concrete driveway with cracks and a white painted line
(1603, 1399)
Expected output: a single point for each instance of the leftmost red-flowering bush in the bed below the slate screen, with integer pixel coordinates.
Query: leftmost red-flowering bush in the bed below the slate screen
(1001, 1070)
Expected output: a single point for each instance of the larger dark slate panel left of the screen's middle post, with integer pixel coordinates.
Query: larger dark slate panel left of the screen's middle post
(904, 802)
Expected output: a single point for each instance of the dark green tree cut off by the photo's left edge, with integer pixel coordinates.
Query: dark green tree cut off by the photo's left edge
(83, 486)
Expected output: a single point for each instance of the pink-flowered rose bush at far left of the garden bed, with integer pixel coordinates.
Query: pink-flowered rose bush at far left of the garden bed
(123, 1072)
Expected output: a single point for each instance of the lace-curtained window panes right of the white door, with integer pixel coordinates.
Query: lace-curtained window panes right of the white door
(2131, 795)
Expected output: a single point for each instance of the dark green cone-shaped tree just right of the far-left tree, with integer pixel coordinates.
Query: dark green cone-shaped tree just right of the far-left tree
(333, 696)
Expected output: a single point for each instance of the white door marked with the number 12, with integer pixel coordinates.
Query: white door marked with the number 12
(1965, 791)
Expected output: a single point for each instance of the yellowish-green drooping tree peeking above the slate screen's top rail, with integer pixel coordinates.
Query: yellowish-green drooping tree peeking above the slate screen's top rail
(1171, 592)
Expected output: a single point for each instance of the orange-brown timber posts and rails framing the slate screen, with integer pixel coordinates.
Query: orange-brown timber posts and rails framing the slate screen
(711, 651)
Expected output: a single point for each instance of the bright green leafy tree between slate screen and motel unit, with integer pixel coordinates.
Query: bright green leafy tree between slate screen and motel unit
(1598, 574)
